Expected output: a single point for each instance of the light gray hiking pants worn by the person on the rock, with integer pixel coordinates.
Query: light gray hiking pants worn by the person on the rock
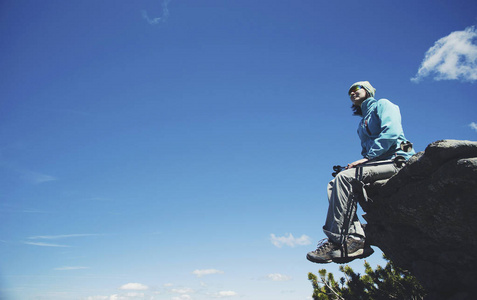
(342, 208)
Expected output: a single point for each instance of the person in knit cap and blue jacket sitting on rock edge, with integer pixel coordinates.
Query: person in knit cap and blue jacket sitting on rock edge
(381, 135)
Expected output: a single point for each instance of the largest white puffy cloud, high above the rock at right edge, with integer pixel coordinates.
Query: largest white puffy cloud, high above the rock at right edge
(451, 57)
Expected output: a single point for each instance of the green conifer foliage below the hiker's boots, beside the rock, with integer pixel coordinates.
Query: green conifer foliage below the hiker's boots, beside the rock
(389, 282)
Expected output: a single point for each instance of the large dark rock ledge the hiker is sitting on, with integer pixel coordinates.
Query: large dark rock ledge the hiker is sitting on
(425, 218)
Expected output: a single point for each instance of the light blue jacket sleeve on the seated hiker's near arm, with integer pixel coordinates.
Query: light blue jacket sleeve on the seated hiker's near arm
(390, 129)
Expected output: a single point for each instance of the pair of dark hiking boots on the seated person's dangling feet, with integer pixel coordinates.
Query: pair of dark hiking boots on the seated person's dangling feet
(327, 251)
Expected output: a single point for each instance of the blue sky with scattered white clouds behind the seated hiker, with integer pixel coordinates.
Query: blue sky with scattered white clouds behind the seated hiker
(181, 149)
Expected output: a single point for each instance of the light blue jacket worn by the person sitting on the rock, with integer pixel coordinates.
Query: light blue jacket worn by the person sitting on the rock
(380, 130)
